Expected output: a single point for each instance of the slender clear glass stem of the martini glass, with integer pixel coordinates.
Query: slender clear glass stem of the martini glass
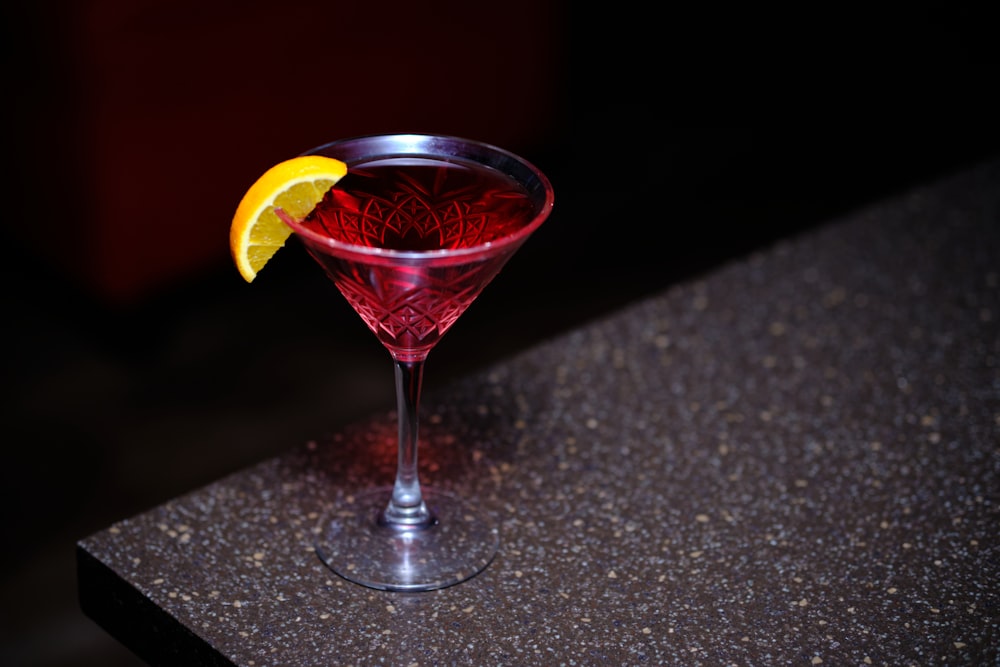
(406, 509)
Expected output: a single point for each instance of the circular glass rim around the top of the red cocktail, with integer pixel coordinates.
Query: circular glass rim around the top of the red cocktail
(429, 145)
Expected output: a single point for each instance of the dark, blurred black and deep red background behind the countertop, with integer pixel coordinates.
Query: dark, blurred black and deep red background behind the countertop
(139, 366)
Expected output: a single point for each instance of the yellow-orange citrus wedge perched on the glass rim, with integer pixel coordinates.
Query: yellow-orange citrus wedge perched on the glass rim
(295, 186)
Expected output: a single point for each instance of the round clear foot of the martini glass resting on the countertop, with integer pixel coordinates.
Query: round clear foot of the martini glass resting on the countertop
(458, 546)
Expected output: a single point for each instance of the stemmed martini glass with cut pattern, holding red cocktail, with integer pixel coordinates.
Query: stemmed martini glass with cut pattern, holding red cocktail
(410, 236)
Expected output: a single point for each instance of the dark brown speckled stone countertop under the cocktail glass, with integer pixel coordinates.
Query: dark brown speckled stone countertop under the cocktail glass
(792, 461)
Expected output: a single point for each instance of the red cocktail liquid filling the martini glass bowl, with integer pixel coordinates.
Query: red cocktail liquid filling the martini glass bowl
(417, 206)
